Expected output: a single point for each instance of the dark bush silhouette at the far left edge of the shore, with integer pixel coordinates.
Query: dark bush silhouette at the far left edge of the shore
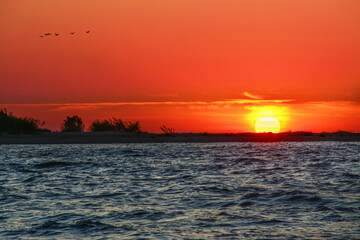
(12, 124)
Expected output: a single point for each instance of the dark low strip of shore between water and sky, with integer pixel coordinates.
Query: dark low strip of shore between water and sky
(121, 137)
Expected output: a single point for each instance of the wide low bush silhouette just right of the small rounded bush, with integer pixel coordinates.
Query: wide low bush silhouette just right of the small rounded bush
(115, 124)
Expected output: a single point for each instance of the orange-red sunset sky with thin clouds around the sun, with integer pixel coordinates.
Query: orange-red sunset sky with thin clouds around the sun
(199, 56)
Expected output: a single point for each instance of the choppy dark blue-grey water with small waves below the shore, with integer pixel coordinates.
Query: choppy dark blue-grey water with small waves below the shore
(180, 191)
